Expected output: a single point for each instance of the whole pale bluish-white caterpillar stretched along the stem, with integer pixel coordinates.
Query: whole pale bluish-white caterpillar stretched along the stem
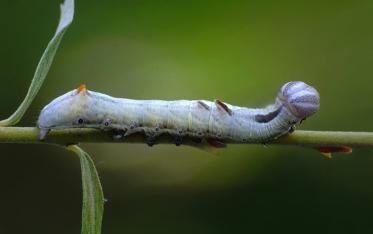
(214, 121)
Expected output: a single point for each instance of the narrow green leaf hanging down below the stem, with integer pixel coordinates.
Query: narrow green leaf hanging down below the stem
(93, 198)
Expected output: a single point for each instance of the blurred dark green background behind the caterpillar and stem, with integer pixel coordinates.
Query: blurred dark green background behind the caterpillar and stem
(238, 51)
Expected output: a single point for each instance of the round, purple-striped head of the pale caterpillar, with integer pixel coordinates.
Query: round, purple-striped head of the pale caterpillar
(299, 98)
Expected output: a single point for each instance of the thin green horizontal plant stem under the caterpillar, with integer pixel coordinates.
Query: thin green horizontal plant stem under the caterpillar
(69, 136)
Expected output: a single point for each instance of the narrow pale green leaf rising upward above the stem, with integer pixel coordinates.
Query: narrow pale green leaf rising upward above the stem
(67, 14)
